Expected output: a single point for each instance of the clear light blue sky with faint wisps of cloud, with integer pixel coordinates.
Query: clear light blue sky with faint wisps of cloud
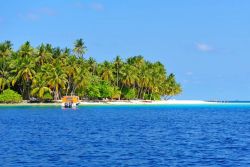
(206, 44)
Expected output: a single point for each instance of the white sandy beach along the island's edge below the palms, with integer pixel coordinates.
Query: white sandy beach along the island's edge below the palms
(115, 103)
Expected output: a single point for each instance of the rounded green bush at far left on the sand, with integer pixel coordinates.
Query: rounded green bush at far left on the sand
(10, 96)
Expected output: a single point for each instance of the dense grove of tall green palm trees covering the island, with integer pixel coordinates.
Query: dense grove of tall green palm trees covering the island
(47, 72)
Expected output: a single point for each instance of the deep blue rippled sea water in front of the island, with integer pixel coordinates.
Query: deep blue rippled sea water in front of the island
(193, 135)
